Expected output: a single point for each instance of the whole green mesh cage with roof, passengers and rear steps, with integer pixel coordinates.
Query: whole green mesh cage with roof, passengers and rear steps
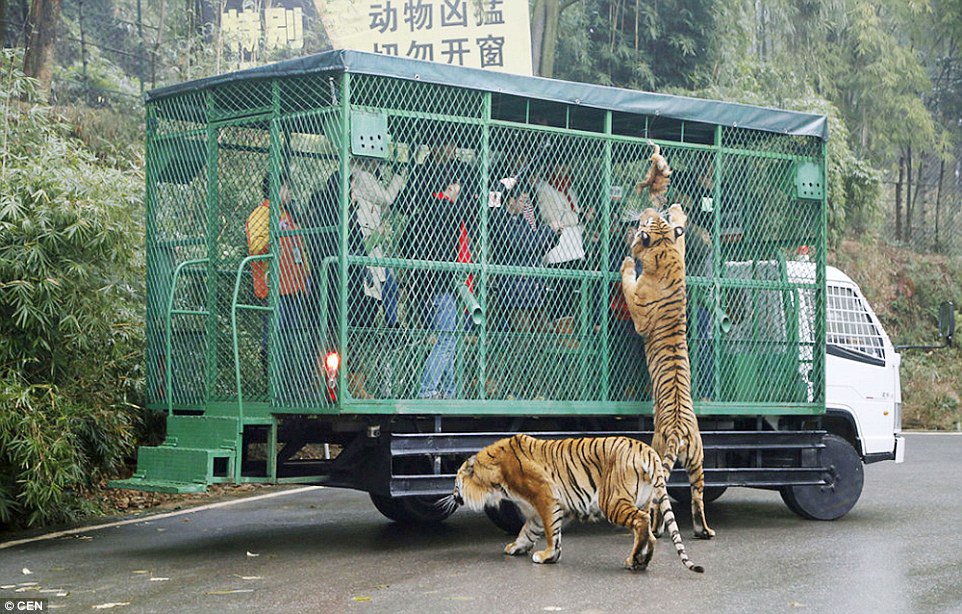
(349, 234)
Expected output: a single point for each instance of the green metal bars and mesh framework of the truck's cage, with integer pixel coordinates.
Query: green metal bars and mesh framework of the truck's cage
(596, 358)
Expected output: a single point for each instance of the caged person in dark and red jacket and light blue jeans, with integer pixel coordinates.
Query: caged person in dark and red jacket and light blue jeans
(438, 230)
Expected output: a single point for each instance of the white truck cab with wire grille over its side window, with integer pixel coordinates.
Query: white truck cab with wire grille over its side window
(863, 397)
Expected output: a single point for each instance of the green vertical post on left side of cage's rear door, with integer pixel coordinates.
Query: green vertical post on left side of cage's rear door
(210, 335)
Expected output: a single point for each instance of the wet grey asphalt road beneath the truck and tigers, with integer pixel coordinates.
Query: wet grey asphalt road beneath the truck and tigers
(326, 550)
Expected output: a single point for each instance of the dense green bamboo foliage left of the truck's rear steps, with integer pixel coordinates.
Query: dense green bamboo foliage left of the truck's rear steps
(71, 301)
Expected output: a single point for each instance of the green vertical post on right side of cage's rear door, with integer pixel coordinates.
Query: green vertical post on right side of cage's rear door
(273, 282)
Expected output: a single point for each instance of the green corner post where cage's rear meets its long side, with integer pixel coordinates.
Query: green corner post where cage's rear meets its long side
(344, 167)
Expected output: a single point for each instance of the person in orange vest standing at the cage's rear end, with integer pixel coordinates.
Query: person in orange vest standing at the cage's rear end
(293, 287)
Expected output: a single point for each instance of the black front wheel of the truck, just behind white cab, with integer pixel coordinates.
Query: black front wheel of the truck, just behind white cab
(834, 500)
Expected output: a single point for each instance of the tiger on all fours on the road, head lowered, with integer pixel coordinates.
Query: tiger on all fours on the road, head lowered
(616, 477)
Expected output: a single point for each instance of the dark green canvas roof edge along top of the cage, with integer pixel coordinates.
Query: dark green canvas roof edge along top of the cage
(566, 92)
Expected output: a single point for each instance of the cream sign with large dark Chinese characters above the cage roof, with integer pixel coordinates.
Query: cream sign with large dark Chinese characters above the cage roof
(489, 34)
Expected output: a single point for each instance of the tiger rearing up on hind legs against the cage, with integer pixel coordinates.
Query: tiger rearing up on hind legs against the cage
(656, 301)
